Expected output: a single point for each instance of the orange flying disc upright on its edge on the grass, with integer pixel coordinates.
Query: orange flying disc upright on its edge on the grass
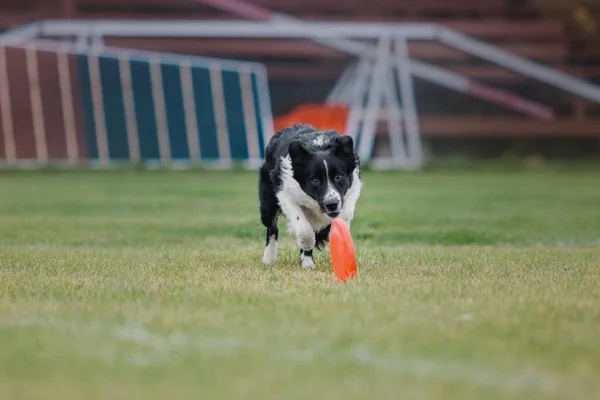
(343, 257)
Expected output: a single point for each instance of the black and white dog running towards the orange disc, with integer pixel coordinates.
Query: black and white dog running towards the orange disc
(311, 177)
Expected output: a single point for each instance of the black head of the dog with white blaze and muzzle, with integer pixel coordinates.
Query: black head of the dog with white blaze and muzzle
(325, 175)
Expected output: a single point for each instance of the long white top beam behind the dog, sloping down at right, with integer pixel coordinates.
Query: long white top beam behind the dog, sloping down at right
(322, 30)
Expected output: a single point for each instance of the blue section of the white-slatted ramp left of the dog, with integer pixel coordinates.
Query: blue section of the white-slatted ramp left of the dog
(226, 116)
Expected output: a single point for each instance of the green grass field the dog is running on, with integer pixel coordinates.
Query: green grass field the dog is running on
(148, 285)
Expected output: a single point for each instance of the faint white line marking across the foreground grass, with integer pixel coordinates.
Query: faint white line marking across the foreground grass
(165, 349)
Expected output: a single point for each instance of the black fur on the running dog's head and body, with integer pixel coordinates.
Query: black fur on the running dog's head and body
(322, 163)
